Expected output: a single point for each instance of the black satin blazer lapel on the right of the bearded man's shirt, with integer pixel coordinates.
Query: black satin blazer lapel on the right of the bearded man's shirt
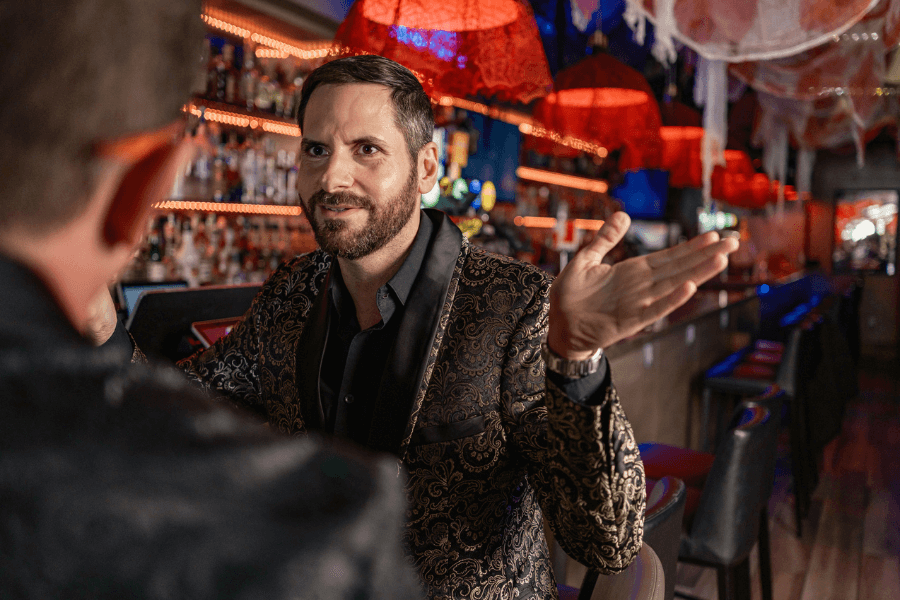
(402, 386)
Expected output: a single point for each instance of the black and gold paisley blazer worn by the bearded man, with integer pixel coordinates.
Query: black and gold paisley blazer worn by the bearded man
(488, 447)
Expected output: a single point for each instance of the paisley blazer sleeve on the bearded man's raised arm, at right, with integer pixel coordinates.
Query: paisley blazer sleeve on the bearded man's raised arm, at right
(583, 461)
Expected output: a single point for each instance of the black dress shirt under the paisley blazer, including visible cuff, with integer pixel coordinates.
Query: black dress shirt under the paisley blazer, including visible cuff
(354, 359)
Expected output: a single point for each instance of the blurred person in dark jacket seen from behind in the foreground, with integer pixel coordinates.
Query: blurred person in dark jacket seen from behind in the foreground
(118, 480)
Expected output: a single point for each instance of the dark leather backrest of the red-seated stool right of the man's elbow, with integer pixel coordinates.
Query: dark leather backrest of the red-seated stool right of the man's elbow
(726, 523)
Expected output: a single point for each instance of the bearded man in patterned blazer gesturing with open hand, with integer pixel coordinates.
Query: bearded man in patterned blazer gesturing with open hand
(401, 336)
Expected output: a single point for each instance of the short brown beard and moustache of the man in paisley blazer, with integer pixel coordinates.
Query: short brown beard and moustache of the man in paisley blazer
(382, 225)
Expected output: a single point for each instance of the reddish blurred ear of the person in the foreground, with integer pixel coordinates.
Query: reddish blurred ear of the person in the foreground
(148, 181)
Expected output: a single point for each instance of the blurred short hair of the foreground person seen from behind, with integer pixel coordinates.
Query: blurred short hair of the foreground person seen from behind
(74, 72)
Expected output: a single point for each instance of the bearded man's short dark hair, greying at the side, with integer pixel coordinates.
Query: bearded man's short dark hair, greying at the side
(412, 108)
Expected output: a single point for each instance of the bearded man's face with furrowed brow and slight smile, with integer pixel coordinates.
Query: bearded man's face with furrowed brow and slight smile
(358, 185)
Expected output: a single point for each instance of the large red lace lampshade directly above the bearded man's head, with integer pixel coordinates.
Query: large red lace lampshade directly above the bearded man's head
(462, 48)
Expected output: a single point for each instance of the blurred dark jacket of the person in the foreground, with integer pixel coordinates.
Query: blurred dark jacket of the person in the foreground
(121, 481)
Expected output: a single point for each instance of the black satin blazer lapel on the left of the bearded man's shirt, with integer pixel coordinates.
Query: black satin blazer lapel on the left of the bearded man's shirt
(310, 351)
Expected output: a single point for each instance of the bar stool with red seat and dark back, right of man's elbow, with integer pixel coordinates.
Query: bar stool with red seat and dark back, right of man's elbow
(726, 505)
